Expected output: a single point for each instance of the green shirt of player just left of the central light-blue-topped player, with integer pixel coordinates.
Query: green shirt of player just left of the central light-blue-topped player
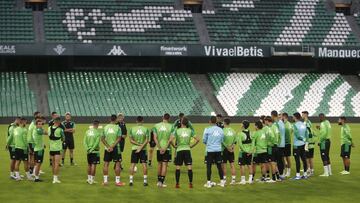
(183, 138)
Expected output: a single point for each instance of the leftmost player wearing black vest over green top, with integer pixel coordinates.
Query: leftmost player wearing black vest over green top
(56, 136)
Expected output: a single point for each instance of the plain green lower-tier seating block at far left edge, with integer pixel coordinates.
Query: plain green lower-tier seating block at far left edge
(16, 98)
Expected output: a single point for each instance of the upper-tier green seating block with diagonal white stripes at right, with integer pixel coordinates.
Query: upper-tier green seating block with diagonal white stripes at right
(279, 22)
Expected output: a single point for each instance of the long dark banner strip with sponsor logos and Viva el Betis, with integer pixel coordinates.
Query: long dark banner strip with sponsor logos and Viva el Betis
(124, 50)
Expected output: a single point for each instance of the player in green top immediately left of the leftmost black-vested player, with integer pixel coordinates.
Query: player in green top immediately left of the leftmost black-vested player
(38, 137)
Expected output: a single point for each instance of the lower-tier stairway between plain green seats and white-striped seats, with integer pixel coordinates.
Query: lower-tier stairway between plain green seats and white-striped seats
(203, 85)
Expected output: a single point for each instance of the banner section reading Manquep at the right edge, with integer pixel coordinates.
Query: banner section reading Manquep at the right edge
(337, 52)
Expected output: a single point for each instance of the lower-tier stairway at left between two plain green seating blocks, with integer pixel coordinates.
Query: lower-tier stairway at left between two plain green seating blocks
(39, 84)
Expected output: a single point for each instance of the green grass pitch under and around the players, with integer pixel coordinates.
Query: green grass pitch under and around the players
(74, 188)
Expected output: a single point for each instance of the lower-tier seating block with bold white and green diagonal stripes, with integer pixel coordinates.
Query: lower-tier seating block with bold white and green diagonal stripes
(257, 94)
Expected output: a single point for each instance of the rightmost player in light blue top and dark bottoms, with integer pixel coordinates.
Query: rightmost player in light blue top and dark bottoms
(300, 138)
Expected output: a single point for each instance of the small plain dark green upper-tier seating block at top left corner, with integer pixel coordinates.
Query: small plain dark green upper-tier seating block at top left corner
(16, 26)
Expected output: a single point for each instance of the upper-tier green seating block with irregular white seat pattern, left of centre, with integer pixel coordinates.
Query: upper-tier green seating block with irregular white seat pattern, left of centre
(128, 21)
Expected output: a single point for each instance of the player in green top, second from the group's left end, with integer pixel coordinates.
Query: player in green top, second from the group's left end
(21, 149)
